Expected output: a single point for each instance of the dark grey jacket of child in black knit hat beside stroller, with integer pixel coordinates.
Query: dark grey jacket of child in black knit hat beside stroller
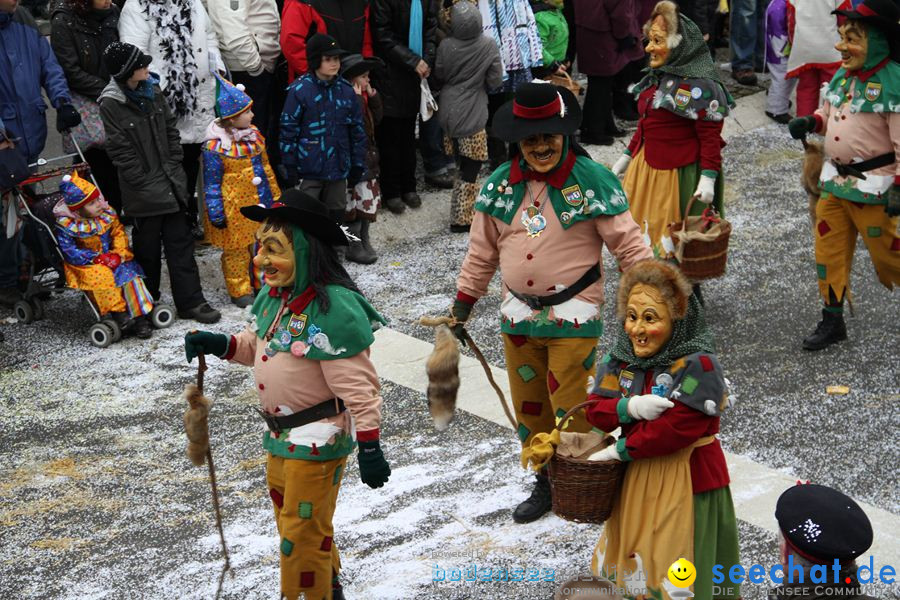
(146, 148)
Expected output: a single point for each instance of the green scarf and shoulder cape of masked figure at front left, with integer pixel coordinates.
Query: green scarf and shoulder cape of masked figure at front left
(346, 330)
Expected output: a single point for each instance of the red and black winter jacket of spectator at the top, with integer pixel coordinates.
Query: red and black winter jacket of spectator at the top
(341, 19)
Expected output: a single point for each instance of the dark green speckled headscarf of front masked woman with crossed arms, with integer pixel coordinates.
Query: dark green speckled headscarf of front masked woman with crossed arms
(689, 336)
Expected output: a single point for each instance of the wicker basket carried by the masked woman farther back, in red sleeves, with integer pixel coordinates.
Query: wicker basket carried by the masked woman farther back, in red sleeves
(701, 243)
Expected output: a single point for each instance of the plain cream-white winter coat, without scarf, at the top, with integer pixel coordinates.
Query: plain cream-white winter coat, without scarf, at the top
(248, 32)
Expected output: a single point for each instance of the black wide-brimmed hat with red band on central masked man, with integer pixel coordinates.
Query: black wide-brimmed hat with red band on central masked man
(537, 108)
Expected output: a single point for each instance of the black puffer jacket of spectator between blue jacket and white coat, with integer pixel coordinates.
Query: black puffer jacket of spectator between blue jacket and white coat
(78, 43)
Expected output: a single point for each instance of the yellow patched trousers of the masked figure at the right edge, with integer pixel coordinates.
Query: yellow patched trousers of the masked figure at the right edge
(837, 223)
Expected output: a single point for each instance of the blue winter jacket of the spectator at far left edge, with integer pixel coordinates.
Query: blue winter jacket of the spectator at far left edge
(27, 64)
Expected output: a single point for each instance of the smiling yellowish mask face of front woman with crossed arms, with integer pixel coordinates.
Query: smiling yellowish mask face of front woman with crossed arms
(648, 321)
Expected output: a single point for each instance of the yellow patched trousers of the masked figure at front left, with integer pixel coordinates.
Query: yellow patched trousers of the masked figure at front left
(304, 494)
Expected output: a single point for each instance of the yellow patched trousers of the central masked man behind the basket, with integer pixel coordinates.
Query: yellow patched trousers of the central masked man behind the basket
(547, 377)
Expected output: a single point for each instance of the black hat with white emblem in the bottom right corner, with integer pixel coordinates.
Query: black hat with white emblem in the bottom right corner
(822, 524)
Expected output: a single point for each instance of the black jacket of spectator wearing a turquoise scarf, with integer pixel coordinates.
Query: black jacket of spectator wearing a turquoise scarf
(398, 83)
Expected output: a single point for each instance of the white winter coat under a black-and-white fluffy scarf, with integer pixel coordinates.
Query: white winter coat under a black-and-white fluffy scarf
(136, 28)
